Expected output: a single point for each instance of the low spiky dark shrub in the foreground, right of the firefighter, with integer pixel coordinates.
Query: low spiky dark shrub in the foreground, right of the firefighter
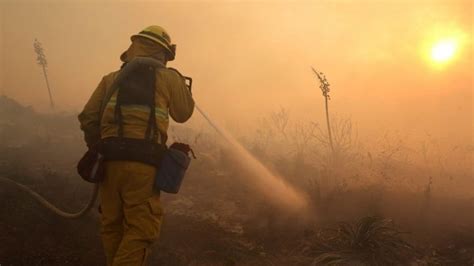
(370, 241)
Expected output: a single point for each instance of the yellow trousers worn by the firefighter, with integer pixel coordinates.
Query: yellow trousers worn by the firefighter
(131, 212)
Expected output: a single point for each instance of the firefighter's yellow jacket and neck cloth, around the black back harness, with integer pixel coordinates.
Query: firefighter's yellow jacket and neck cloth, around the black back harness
(172, 98)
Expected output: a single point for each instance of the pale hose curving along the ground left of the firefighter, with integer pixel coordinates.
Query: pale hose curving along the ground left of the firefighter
(45, 203)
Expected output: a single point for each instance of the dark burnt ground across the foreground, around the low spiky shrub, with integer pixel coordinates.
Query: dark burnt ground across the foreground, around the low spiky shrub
(31, 235)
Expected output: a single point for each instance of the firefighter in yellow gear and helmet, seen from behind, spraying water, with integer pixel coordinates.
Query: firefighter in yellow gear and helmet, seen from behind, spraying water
(131, 133)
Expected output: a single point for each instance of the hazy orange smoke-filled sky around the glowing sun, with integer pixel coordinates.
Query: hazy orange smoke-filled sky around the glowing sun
(248, 58)
